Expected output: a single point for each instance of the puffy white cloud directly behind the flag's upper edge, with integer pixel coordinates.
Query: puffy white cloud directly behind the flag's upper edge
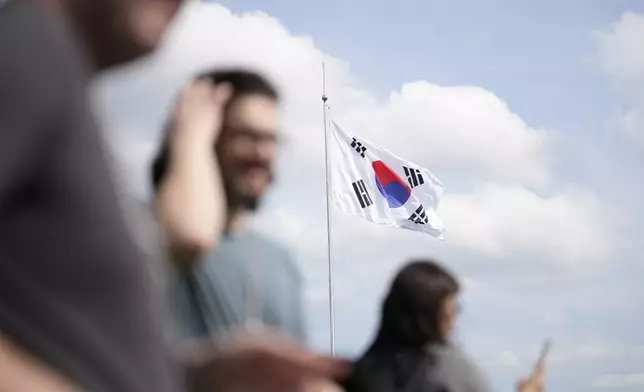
(462, 127)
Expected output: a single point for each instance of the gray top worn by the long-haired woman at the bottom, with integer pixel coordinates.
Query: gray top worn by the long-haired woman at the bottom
(451, 371)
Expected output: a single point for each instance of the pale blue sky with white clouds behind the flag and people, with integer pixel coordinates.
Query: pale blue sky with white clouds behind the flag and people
(530, 113)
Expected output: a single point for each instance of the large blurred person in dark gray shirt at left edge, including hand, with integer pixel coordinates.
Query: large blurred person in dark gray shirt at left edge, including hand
(78, 310)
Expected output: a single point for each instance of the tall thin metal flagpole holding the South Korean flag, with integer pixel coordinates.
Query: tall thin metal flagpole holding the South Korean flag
(328, 210)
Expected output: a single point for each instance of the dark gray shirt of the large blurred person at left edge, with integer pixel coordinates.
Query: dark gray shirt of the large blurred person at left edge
(74, 291)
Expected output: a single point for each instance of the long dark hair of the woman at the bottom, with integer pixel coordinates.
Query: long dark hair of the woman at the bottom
(410, 319)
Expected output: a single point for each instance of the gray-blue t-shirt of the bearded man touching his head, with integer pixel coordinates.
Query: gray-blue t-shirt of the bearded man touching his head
(246, 277)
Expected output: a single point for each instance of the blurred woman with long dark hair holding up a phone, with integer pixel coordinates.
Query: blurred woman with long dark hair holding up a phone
(412, 350)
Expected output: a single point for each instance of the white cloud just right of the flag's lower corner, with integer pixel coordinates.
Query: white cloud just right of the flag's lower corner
(499, 221)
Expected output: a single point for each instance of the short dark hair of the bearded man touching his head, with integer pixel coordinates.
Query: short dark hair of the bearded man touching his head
(243, 82)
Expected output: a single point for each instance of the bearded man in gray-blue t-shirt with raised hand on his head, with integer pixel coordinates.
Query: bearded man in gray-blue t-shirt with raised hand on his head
(208, 178)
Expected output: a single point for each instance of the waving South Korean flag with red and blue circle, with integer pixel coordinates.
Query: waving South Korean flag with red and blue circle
(374, 184)
